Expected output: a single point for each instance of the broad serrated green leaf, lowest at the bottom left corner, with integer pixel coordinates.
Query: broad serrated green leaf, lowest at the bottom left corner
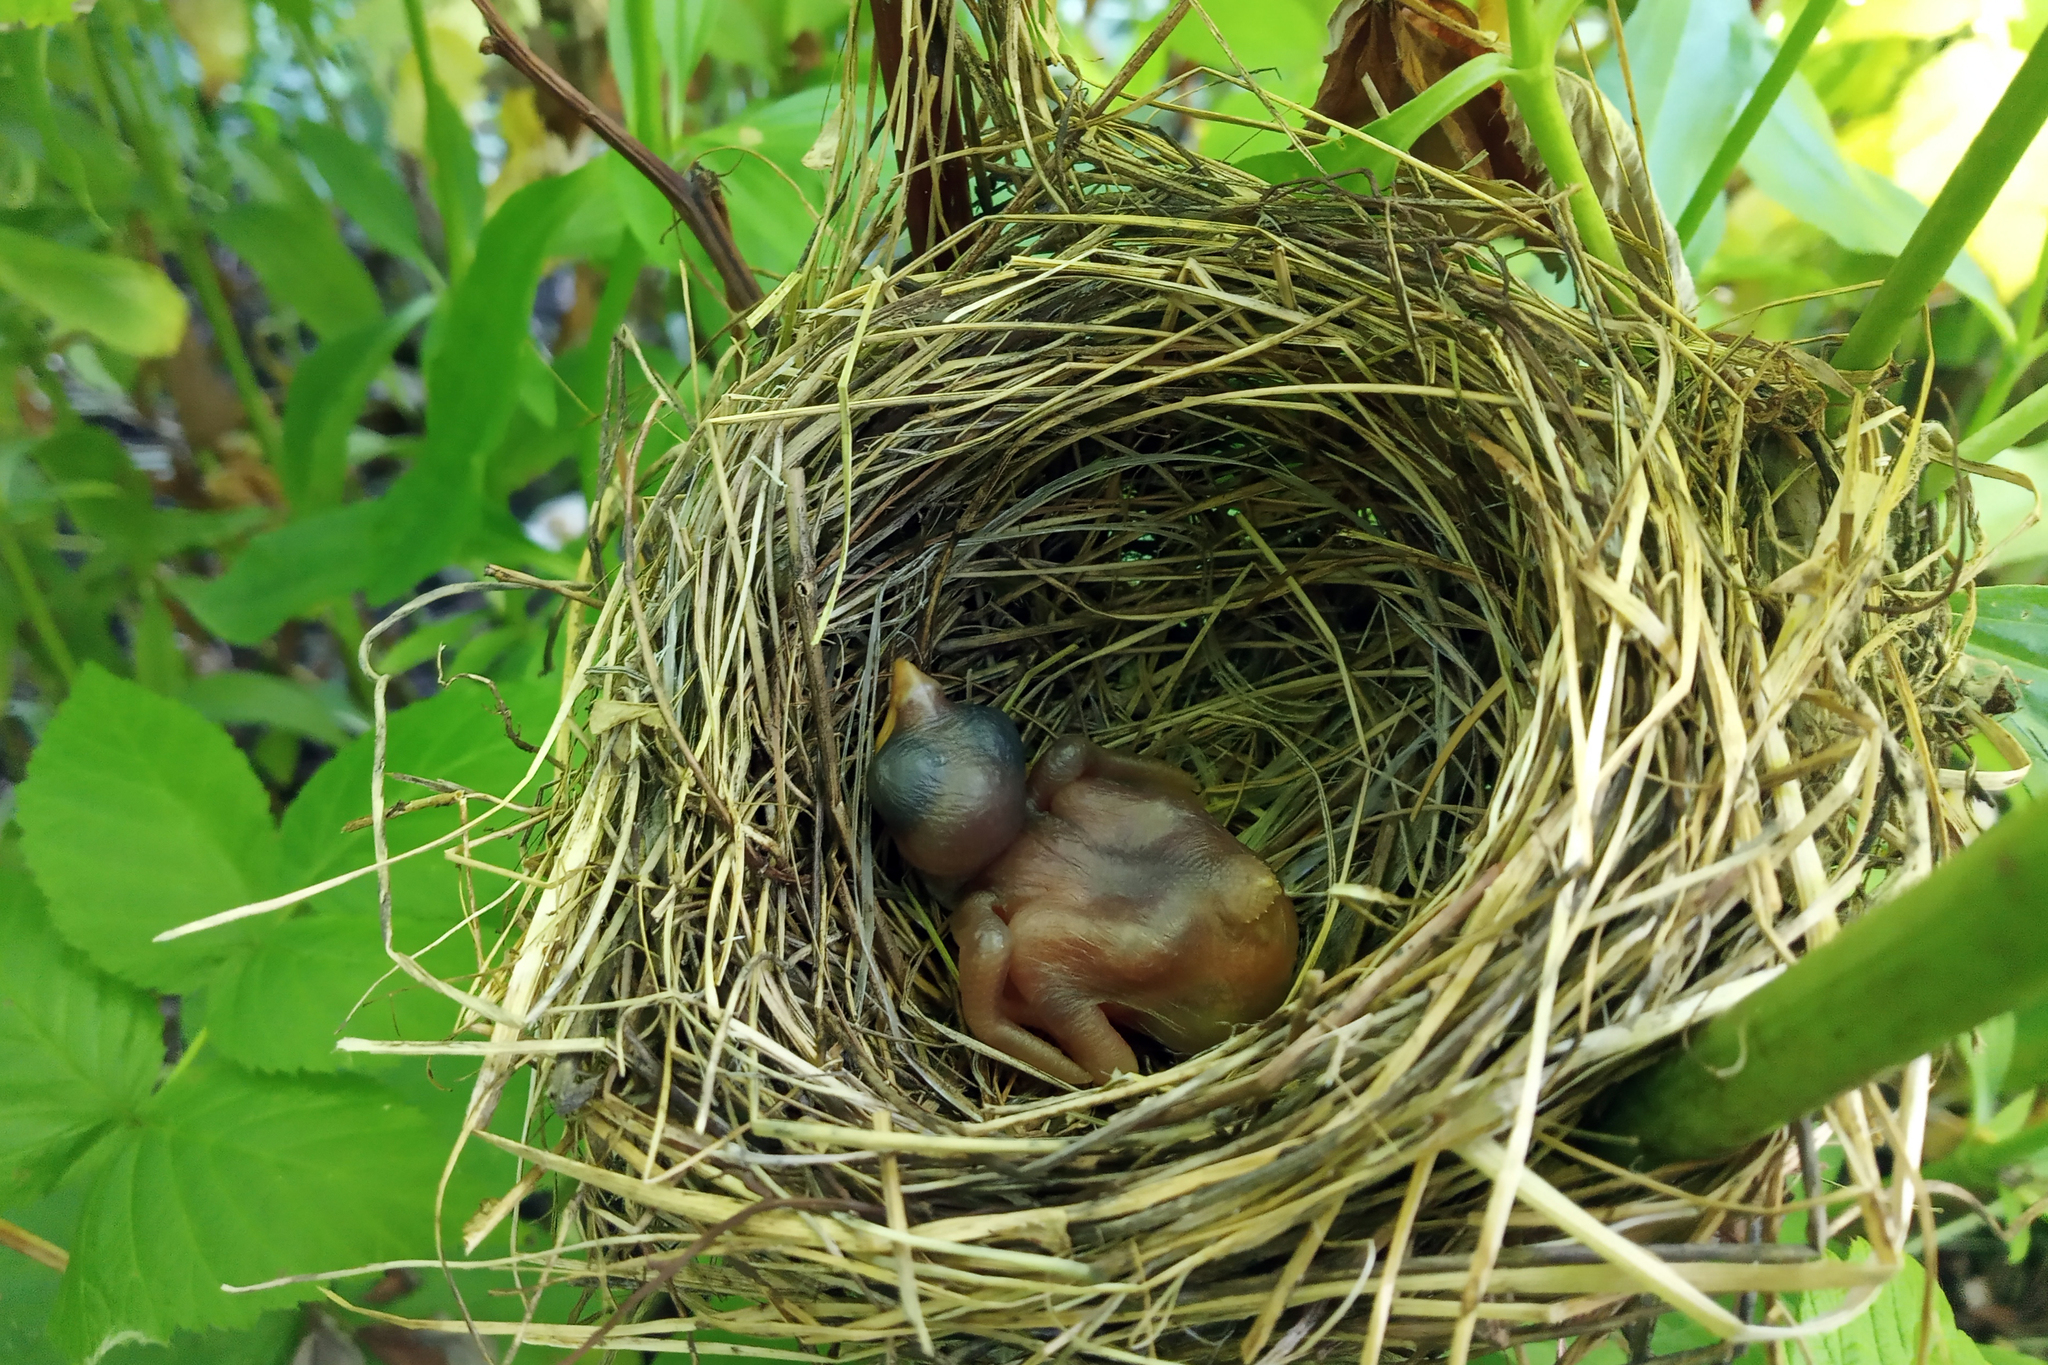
(226, 1178)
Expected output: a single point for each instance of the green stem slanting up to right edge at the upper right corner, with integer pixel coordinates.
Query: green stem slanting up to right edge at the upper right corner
(1953, 218)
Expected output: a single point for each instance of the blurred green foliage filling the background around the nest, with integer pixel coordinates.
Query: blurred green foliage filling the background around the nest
(306, 308)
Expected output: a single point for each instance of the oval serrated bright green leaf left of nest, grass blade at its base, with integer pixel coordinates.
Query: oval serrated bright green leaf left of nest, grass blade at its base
(140, 816)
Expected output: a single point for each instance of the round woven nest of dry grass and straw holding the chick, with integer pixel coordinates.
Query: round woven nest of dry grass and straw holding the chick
(1564, 664)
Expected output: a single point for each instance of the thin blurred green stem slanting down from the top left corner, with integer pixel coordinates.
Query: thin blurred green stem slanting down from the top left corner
(183, 234)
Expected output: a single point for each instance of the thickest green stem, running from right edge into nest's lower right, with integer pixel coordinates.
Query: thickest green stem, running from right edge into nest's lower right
(1945, 957)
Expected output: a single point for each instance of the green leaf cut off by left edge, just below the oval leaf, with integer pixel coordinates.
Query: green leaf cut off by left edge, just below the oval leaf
(79, 1051)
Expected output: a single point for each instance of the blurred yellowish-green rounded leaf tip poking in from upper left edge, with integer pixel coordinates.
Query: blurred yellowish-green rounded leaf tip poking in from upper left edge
(128, 304)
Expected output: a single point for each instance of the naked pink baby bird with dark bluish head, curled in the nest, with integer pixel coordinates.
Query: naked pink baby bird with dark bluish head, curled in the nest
(1089, 895)
